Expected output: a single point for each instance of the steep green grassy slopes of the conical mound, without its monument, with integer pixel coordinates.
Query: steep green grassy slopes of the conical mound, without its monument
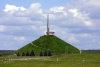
(51, 44)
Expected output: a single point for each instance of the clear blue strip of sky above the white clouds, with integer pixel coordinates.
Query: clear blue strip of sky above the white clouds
(45, 3)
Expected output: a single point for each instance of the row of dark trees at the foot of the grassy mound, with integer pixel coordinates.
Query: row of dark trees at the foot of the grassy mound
(33, 54)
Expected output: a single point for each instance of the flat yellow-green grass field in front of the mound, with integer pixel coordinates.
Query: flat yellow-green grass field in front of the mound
(75, 60)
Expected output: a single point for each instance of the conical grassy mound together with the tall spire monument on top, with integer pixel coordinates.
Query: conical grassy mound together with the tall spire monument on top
(47, 45)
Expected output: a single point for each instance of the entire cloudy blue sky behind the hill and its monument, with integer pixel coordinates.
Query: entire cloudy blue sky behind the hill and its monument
(74, 21)
